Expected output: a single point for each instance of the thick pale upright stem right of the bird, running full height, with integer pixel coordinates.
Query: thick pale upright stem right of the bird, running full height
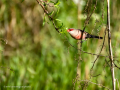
(110, 46)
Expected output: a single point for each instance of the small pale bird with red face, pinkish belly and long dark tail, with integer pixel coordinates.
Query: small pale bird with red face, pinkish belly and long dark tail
(80, 35)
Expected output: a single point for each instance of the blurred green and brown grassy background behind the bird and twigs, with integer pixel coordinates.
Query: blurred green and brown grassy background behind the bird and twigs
(39, 58)
